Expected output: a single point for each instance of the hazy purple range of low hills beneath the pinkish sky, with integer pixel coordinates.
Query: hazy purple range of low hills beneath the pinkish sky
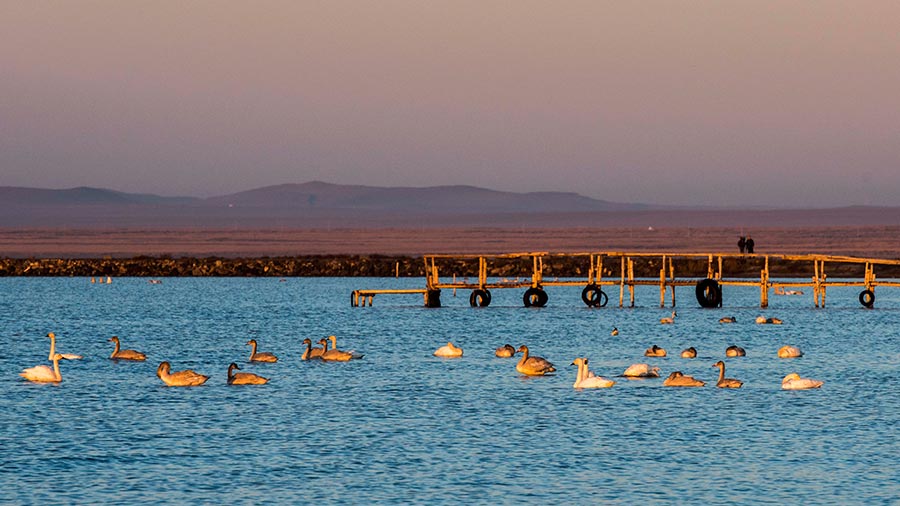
(324, 205)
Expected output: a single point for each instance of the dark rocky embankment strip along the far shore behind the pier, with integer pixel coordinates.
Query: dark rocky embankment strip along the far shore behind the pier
(386, 266)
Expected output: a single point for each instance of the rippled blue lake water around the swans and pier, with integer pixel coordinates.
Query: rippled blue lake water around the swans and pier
(403, 426)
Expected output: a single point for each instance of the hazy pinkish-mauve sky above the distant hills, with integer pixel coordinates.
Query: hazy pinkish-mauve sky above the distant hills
(738, 103)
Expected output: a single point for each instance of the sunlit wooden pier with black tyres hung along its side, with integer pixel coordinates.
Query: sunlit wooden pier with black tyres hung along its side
(707, 290)
